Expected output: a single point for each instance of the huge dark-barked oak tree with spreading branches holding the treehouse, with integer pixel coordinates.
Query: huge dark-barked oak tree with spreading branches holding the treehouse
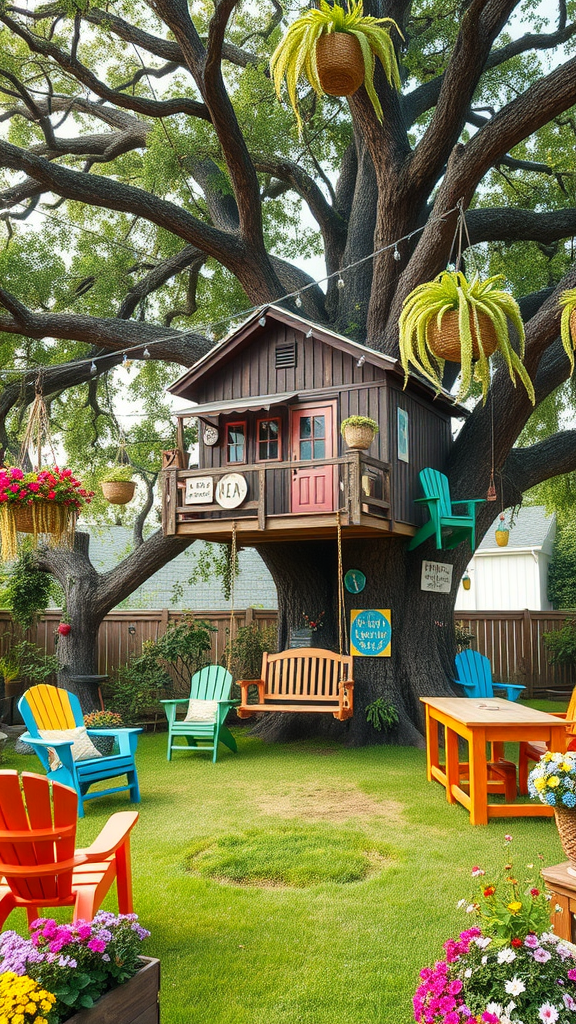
(152, 131)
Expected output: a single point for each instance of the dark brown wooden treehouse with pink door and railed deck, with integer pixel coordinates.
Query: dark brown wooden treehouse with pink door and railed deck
(270, 400)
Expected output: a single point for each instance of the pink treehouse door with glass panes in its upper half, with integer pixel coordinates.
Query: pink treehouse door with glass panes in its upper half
(312, 441)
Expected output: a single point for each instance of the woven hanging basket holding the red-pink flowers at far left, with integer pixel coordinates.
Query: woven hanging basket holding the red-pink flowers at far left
(55, 522)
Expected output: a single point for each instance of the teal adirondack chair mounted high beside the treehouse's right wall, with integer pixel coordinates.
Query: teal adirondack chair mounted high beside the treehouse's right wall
(448, 528)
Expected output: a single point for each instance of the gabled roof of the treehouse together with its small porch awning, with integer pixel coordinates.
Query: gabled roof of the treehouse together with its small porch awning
(189, 386)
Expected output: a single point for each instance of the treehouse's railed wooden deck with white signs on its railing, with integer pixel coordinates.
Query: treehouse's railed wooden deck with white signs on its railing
(283, 500)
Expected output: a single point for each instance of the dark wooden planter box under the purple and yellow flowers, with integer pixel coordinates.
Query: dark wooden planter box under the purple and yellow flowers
(134, 1003)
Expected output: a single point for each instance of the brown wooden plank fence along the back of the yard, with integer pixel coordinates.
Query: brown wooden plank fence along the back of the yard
(513, 641)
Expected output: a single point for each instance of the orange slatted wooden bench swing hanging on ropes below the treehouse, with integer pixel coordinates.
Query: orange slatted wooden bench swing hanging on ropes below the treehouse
(308, 679)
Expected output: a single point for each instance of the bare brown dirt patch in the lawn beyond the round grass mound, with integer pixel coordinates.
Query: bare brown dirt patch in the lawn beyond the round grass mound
(316, 802)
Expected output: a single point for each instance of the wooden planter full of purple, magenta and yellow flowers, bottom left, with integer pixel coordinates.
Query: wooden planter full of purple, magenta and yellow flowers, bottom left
(98, 974)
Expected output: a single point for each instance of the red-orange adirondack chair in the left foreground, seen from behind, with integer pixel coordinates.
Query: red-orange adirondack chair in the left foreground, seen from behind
(39, 866)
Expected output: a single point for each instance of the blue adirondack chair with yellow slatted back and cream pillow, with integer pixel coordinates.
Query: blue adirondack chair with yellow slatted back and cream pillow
(50, 708)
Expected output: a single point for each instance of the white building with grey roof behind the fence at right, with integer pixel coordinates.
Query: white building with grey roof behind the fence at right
(516, 577)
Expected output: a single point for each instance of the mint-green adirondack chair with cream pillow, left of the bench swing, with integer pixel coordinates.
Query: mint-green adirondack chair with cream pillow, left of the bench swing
(211, 687)
